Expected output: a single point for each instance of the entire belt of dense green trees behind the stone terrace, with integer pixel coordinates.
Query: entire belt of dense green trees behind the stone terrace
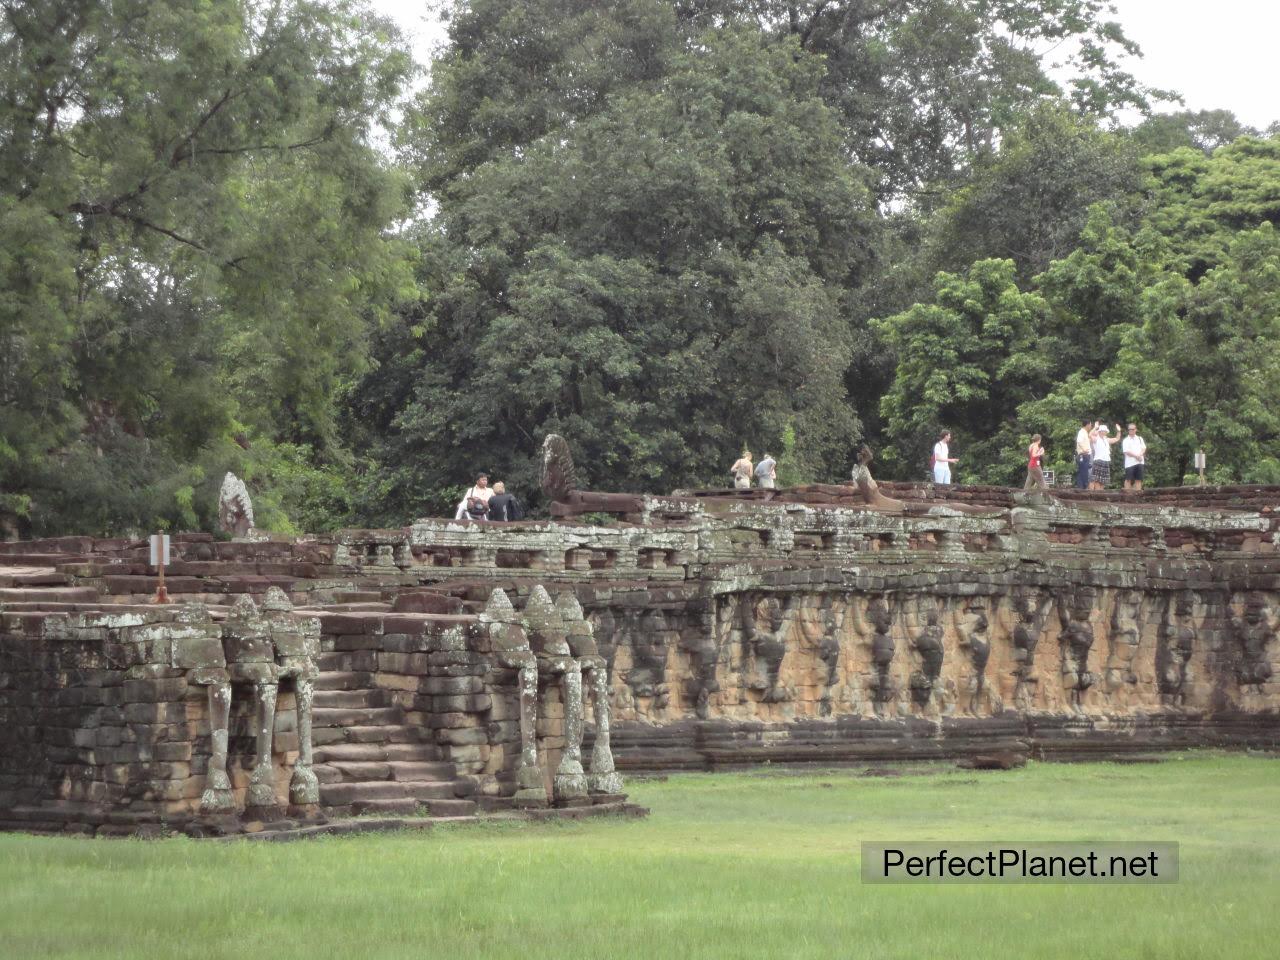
(664, 228)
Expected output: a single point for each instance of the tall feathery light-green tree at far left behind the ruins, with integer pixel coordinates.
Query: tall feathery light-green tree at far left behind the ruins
(191, 244)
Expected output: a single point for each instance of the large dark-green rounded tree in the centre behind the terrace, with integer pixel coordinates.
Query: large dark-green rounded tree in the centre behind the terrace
(659, 280)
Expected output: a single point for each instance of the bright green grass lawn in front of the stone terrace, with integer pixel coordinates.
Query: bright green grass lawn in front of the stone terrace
(728, 866)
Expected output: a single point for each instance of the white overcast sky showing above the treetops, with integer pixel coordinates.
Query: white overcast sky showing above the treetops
(1215, 53)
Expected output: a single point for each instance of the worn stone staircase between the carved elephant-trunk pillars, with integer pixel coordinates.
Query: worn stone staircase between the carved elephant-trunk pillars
(369, 760)
